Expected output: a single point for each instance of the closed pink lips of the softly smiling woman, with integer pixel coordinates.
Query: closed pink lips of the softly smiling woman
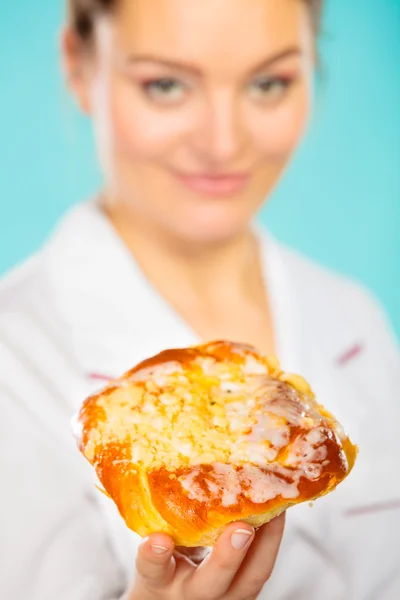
(214, 185)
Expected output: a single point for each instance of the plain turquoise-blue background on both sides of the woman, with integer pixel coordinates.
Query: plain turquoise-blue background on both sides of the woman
(339, 203)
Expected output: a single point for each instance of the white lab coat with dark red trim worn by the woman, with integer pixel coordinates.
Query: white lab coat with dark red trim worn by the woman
(81, 309)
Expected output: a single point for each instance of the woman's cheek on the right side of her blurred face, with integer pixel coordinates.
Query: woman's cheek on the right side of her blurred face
(281, 130)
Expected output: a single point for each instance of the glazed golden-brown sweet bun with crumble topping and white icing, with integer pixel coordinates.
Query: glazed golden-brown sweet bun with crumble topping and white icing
(193, 439)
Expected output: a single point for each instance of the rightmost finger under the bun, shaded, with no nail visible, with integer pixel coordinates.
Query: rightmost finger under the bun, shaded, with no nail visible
(260, 560)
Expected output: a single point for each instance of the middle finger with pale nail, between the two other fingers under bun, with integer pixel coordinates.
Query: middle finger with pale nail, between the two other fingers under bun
(218, 570)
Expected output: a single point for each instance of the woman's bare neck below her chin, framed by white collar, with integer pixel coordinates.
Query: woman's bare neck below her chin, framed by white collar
(185, 272)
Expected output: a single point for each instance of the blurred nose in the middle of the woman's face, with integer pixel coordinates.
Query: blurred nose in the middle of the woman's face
(219, 138)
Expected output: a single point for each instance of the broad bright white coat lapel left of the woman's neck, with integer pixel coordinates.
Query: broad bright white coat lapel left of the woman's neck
(113, 313)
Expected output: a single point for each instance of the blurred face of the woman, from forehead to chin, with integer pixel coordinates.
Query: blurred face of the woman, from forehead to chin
(198, 106)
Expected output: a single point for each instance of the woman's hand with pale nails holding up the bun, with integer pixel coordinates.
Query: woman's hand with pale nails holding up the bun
(238, 566)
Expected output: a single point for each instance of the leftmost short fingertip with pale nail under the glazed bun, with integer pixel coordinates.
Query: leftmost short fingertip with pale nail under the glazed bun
(155, 563)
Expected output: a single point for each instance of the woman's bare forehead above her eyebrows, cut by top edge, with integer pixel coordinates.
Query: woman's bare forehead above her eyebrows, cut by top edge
(204, 31)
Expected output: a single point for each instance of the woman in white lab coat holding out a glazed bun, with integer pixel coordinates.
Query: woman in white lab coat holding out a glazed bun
(193, 130)
